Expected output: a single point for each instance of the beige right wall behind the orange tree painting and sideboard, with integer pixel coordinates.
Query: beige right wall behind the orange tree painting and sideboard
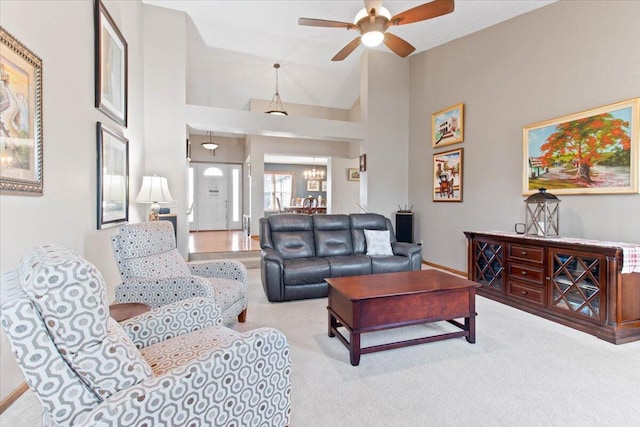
(560, 59)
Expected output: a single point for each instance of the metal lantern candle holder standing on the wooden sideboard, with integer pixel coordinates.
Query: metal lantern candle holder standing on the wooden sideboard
(542, 215)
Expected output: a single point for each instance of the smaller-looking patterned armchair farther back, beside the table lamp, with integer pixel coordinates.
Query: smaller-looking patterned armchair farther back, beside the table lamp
(154, 272)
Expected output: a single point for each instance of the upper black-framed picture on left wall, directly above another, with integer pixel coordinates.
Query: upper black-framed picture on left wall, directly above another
(111, 66)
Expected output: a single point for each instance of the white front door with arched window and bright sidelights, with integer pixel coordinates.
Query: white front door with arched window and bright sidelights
(215, 196)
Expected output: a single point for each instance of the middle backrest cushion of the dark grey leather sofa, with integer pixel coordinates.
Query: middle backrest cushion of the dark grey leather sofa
(332, 235)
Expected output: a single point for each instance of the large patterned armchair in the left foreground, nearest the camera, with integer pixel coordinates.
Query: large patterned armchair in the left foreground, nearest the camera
(172, 366)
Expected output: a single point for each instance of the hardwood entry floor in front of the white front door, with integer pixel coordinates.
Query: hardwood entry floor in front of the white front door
(222, 241)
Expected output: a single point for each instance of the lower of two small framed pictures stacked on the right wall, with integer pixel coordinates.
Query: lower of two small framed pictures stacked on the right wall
(447, 176)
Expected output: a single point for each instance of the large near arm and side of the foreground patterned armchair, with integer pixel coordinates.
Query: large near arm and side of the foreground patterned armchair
(251, 367)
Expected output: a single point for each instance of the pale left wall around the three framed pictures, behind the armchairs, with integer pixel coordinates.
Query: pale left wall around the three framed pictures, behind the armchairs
(61, 33)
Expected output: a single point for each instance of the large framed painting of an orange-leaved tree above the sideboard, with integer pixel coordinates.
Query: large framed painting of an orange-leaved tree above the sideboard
(592, 152)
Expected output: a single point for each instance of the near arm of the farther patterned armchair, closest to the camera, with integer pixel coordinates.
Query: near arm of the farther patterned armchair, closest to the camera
(165, 290)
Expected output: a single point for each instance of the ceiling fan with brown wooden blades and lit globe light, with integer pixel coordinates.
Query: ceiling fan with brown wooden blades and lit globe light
(372, 23)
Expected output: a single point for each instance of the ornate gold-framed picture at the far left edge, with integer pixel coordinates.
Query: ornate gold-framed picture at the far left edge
(20, 119)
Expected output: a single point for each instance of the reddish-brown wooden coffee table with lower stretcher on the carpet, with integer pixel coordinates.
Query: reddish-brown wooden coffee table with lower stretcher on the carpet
(383, 301)
